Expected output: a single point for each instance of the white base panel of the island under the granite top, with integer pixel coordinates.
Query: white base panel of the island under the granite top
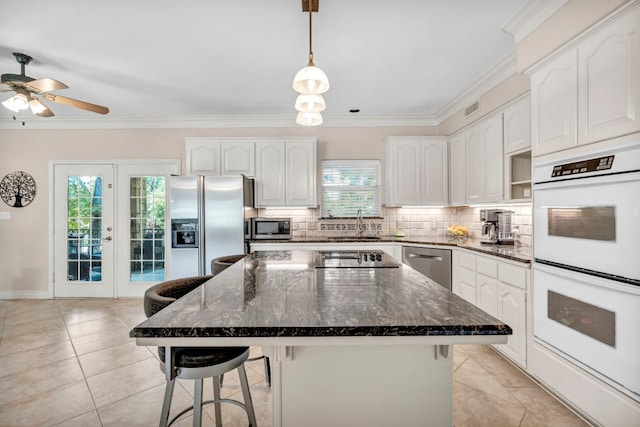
(362, 385)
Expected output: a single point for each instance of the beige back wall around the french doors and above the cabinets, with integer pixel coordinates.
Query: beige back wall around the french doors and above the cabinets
(24, 239)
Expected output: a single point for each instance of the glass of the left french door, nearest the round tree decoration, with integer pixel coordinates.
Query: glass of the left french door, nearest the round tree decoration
(84, 228)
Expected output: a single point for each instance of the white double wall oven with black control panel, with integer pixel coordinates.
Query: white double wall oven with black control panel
(586, 213)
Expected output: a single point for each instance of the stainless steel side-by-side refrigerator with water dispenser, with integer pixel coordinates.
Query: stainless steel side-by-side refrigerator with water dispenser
(207, 220)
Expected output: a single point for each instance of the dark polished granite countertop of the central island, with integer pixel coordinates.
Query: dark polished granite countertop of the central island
(282, 294)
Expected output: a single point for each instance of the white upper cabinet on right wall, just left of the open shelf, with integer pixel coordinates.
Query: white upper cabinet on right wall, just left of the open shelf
(484, 148)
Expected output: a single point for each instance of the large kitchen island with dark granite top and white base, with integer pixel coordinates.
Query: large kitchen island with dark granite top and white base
(350, 346)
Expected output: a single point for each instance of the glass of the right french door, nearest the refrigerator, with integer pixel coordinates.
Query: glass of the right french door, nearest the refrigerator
(147, 221)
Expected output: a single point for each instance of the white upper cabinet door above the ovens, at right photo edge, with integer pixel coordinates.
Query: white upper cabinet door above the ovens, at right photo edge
(609, 81)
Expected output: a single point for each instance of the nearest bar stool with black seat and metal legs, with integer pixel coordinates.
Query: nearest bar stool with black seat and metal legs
(197, 363)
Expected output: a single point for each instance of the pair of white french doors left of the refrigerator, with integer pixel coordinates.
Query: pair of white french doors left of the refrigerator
(109, 228)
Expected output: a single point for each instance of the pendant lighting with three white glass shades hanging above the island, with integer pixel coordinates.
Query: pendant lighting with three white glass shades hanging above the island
(310, 82)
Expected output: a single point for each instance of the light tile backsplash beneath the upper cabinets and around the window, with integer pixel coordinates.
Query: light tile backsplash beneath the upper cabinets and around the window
(415, 222)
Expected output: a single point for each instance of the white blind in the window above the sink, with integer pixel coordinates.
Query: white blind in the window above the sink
(349, 185)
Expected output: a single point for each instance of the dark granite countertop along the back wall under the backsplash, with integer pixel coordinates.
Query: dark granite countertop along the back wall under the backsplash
(520, 254)
